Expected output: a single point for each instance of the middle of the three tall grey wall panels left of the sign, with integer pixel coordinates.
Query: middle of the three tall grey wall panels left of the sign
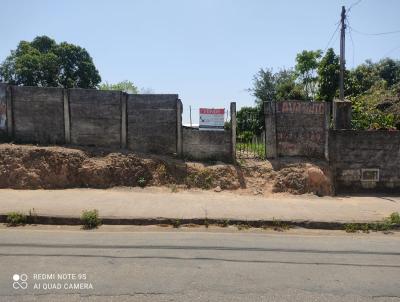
(95, 117)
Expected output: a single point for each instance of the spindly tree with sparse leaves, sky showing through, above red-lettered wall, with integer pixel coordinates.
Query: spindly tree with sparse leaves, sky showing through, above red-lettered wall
(306, 66)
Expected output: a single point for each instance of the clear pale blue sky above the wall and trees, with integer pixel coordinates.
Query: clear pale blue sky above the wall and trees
(207, 51)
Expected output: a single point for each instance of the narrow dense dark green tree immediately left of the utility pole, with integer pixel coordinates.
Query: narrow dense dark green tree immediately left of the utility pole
(328, 76)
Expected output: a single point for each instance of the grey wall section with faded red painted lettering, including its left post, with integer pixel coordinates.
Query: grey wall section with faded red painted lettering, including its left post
(297, 128)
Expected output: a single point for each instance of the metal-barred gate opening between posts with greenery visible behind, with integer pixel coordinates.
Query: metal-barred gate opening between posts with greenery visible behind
(250, 133)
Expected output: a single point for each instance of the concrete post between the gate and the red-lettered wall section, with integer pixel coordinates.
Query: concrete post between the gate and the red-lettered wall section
(270, 130)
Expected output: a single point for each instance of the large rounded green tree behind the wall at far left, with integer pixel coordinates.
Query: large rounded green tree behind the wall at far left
(45, 63)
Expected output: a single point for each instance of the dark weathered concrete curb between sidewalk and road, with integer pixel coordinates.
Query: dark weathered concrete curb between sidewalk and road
(60, 220)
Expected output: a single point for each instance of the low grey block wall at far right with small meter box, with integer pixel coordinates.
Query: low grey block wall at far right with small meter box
(354, 153)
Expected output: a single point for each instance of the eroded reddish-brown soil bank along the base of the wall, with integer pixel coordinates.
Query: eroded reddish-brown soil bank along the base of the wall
(34, 167)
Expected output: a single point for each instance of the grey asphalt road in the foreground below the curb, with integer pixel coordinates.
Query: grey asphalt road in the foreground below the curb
(159, 265)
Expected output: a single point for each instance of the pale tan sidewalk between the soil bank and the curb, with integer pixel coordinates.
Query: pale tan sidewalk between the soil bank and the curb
(155, 203)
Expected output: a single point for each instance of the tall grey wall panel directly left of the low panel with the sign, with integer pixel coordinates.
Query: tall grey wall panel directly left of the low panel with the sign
(152, 123)
